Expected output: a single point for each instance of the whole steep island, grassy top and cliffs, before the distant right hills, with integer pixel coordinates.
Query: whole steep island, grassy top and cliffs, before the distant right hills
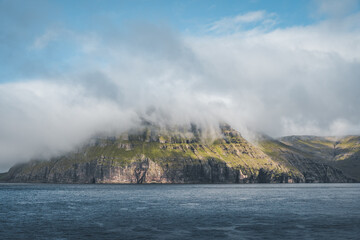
(178, 155)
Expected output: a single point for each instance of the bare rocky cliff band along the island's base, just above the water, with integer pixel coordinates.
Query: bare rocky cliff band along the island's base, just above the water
(146, 171)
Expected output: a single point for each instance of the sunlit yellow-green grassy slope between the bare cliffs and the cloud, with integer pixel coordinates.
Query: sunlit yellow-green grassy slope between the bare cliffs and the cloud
(168, 150)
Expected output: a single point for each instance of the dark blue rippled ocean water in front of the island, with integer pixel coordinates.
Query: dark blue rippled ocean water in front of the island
(252, 211)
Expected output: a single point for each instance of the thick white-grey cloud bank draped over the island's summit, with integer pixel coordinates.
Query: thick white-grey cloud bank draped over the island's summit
(280, 81)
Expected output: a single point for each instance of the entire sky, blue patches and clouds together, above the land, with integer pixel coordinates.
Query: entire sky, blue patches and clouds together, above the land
(70, 70)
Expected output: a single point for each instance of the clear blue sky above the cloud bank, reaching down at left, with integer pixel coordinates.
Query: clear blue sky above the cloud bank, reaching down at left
(22, 22)
